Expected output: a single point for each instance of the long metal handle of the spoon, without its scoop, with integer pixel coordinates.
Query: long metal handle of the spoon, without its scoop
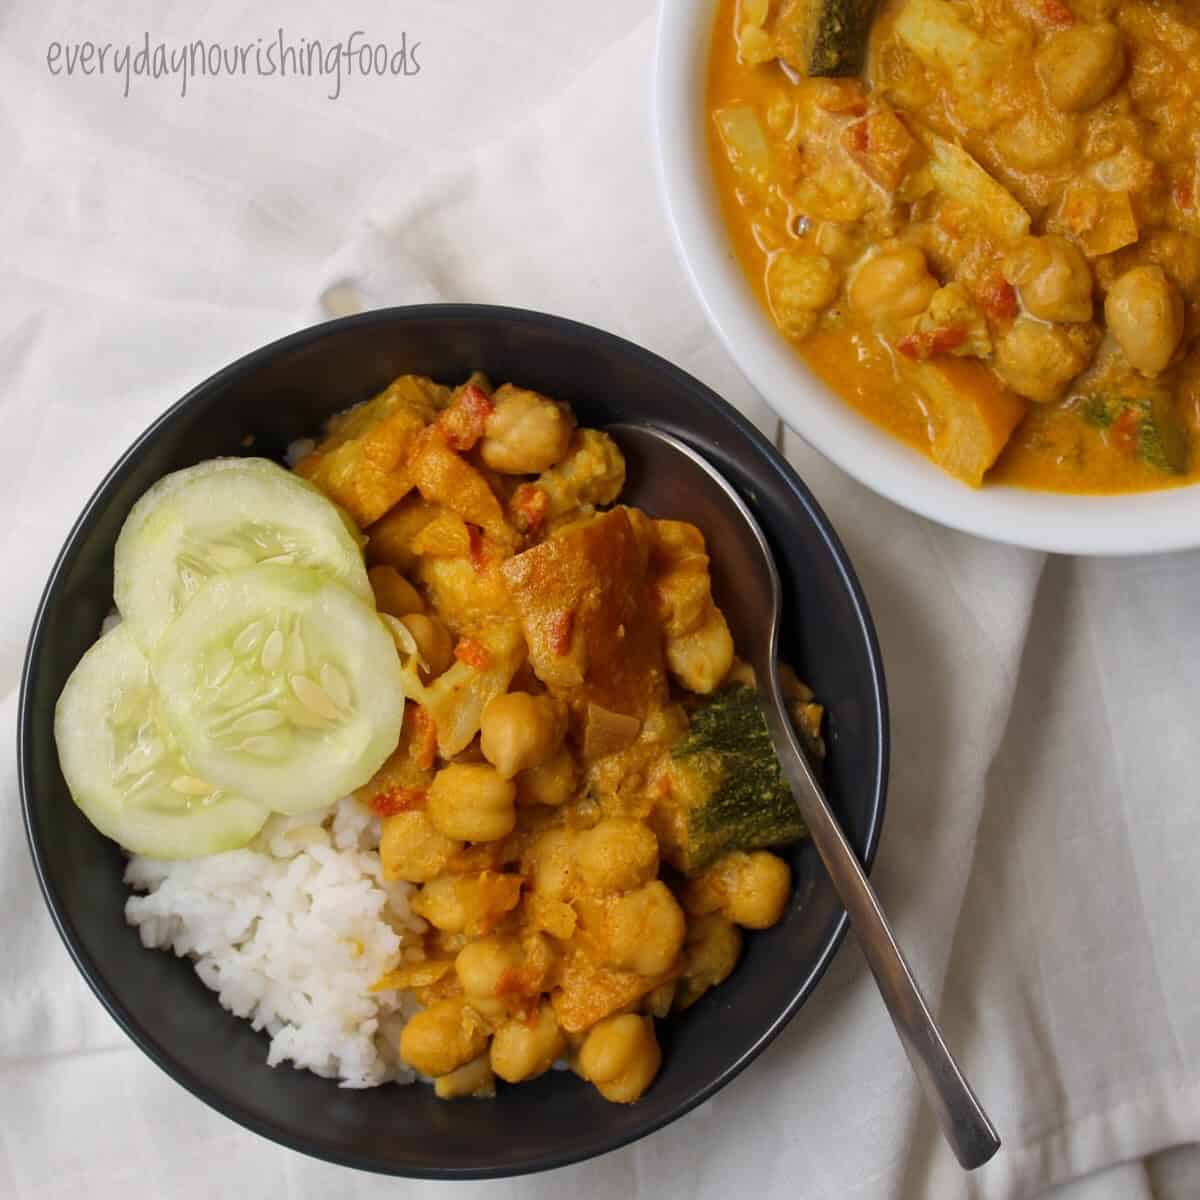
(959, 1113)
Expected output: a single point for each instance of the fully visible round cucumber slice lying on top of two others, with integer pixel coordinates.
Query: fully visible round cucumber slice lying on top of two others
(283, 685)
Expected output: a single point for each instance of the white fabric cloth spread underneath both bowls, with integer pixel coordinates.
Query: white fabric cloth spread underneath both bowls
(1041, 850)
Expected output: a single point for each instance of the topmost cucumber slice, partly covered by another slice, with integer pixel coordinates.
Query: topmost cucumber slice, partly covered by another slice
(224, 515)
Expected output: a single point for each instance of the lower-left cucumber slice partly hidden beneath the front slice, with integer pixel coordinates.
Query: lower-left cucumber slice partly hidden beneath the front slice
(124, 769)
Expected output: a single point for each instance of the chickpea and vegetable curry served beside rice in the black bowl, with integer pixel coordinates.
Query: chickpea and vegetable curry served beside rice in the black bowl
(584, 789)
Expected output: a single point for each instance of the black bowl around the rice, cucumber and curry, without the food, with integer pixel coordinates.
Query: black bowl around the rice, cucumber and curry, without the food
(285, 392)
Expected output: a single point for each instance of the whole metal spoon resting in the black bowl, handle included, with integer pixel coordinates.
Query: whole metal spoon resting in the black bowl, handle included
(665, 477)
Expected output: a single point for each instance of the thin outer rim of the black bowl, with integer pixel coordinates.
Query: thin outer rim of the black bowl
(93, 973)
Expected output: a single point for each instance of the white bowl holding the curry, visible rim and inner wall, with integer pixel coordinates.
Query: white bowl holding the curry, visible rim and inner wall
(1147, 523)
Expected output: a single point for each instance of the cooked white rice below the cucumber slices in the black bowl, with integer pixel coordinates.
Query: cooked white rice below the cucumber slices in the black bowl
(291, 933)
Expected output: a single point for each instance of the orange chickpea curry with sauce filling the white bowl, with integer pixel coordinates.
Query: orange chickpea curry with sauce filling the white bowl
(979, 223)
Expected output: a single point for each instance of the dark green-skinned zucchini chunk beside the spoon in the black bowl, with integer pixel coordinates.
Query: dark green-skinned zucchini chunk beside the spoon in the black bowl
(727, 773)
